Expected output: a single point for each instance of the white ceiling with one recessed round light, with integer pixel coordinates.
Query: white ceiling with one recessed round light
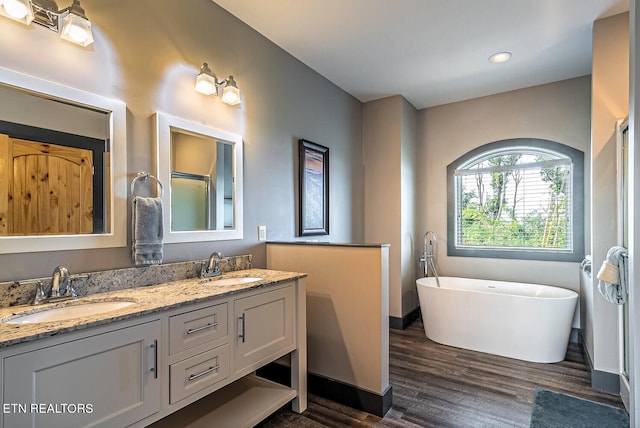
(432, 52)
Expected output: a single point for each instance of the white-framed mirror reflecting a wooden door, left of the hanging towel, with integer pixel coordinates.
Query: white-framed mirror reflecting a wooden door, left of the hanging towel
(62, 167)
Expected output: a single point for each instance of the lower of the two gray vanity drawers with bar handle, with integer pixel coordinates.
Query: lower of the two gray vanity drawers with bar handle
(198, 372)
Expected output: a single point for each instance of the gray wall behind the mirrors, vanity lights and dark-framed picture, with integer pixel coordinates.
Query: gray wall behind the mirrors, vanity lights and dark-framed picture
(147, 53)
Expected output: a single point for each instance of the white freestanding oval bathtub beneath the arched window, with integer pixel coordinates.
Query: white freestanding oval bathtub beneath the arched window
(525, 321)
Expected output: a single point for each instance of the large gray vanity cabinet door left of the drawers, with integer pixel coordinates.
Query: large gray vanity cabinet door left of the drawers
(106, 380)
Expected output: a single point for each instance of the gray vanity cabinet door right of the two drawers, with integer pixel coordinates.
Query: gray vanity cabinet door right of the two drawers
(264, 328)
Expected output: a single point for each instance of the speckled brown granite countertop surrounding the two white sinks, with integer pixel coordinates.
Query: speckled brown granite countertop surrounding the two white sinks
(148, 299)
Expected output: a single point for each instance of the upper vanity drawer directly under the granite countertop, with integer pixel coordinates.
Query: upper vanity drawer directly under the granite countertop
(194, 328)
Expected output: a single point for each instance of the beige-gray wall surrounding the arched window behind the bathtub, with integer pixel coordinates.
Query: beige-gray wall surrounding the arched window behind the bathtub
(558, 111)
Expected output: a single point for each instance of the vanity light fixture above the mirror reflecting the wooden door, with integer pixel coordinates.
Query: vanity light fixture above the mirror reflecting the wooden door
(70, 23)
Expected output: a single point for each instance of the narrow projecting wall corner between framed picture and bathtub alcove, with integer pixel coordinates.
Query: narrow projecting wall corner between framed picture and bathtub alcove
(389, 141)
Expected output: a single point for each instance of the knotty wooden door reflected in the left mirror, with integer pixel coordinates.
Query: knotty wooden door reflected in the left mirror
(49, 188)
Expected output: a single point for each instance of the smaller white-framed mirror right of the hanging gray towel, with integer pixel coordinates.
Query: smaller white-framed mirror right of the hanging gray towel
(203, 169)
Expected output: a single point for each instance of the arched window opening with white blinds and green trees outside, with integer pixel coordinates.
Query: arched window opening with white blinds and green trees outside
(517, 200)
